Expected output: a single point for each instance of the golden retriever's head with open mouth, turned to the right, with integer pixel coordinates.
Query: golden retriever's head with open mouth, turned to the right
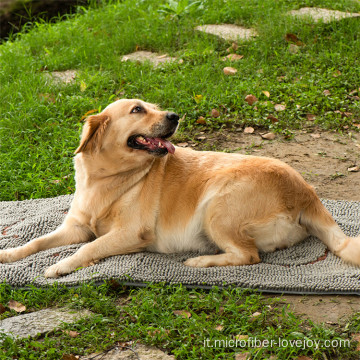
(129, 126)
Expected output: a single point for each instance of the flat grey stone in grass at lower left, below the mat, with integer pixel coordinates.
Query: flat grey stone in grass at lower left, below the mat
(39, 322)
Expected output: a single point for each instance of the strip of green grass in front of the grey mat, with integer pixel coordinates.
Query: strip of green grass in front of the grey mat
(122, 314)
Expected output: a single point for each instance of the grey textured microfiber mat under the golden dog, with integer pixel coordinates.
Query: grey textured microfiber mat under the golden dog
(305, 268)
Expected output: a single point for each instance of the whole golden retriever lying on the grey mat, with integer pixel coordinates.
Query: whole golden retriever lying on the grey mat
(136, 191)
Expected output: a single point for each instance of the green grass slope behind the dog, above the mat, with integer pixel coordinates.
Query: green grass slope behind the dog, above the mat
(40, 120)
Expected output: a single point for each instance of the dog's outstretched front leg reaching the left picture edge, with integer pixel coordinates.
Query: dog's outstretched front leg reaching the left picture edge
(70, 232)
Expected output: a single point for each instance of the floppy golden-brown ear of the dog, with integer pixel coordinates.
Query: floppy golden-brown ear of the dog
(93, 133)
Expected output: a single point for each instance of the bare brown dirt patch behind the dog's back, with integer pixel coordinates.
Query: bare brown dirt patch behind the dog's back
(322, 160)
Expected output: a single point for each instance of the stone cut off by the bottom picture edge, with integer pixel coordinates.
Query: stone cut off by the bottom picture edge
(138, 351)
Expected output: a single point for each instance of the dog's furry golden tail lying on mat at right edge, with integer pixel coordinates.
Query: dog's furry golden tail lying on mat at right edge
(320, 223)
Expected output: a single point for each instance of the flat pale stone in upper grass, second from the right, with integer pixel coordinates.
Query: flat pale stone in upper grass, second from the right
(228, 32)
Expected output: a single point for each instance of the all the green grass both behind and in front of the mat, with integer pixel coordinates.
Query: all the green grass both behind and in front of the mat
(40, 123)
